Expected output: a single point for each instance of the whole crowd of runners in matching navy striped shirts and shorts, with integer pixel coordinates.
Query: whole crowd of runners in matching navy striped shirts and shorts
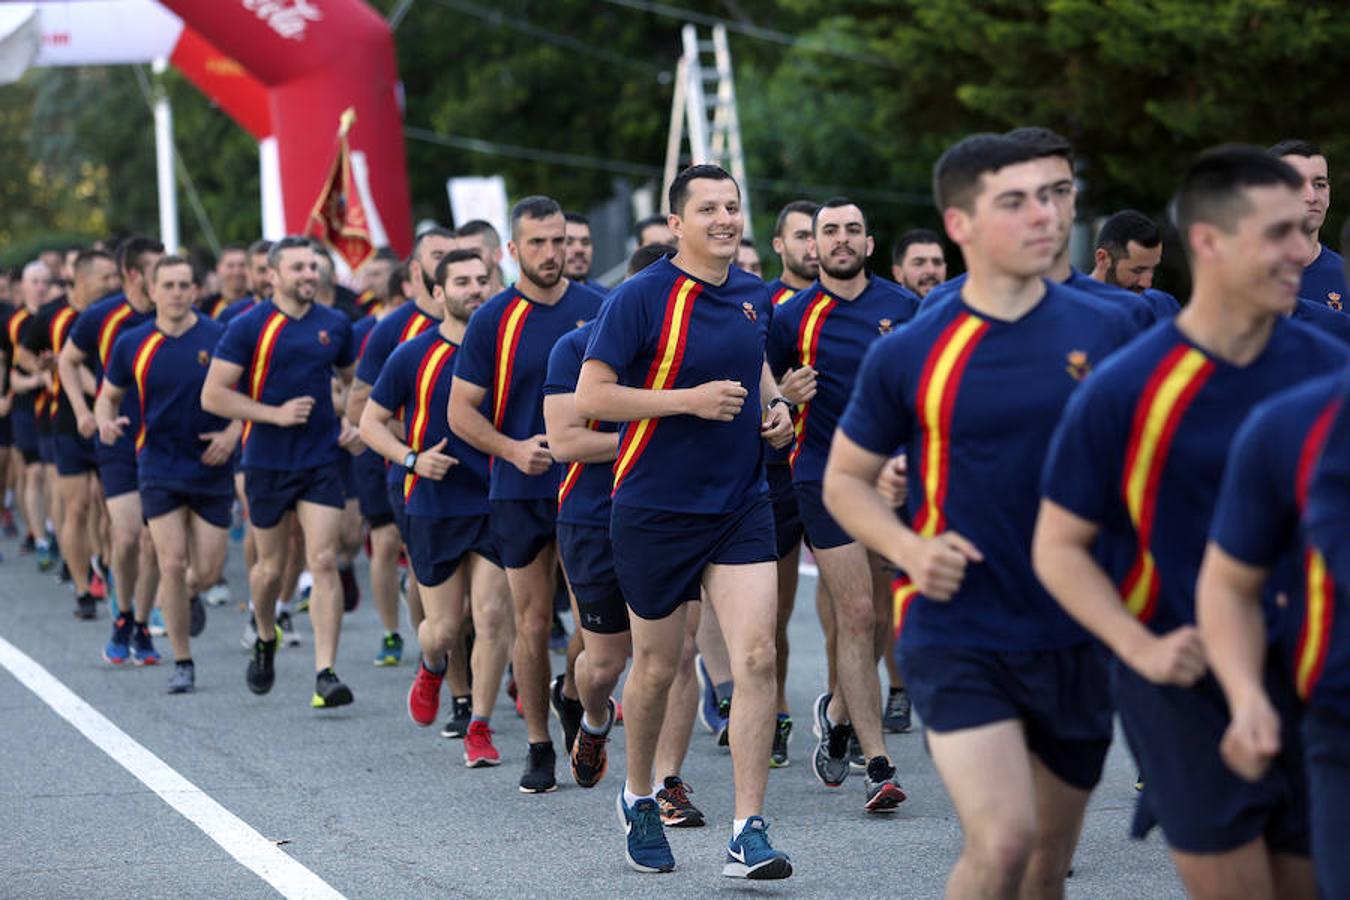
(1037, 497)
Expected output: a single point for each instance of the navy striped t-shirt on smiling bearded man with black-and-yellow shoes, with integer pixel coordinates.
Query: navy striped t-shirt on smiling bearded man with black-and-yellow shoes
(286, 358)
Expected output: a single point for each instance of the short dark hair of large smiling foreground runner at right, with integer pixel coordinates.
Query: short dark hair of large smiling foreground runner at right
(1212, 190)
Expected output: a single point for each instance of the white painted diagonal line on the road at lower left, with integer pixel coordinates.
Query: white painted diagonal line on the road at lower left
(249, 848)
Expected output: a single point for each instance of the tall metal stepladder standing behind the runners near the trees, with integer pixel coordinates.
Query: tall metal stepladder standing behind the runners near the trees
(704, 105)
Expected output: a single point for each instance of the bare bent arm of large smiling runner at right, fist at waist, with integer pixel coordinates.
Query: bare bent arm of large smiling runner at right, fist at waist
(1062, 554)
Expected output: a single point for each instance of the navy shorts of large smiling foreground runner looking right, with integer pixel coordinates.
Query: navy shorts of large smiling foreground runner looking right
(1201, 804)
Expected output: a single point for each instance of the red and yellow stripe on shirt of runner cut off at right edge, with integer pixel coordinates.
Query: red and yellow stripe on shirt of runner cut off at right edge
(1318, 588)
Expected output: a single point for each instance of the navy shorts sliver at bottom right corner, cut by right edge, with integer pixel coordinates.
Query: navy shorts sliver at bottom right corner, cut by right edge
(1326, 739)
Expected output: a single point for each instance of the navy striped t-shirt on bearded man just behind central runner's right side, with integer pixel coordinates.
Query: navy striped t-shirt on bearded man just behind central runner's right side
(830, 334)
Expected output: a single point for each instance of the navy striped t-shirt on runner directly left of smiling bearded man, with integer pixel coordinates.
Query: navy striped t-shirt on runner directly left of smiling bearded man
(164, 377)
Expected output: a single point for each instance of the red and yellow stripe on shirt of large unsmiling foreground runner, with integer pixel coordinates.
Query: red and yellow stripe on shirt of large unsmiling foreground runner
(935, 403)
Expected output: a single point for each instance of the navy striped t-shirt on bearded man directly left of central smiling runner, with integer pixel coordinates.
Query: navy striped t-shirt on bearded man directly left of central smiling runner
(507, 354)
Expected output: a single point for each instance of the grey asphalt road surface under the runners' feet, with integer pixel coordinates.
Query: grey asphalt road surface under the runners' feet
(377, 808)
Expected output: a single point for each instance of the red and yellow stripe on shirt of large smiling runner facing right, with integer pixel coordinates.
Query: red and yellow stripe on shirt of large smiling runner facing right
(1167, 396)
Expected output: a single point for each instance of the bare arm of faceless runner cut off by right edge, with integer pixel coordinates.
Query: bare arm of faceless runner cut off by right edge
(1233, 628)
